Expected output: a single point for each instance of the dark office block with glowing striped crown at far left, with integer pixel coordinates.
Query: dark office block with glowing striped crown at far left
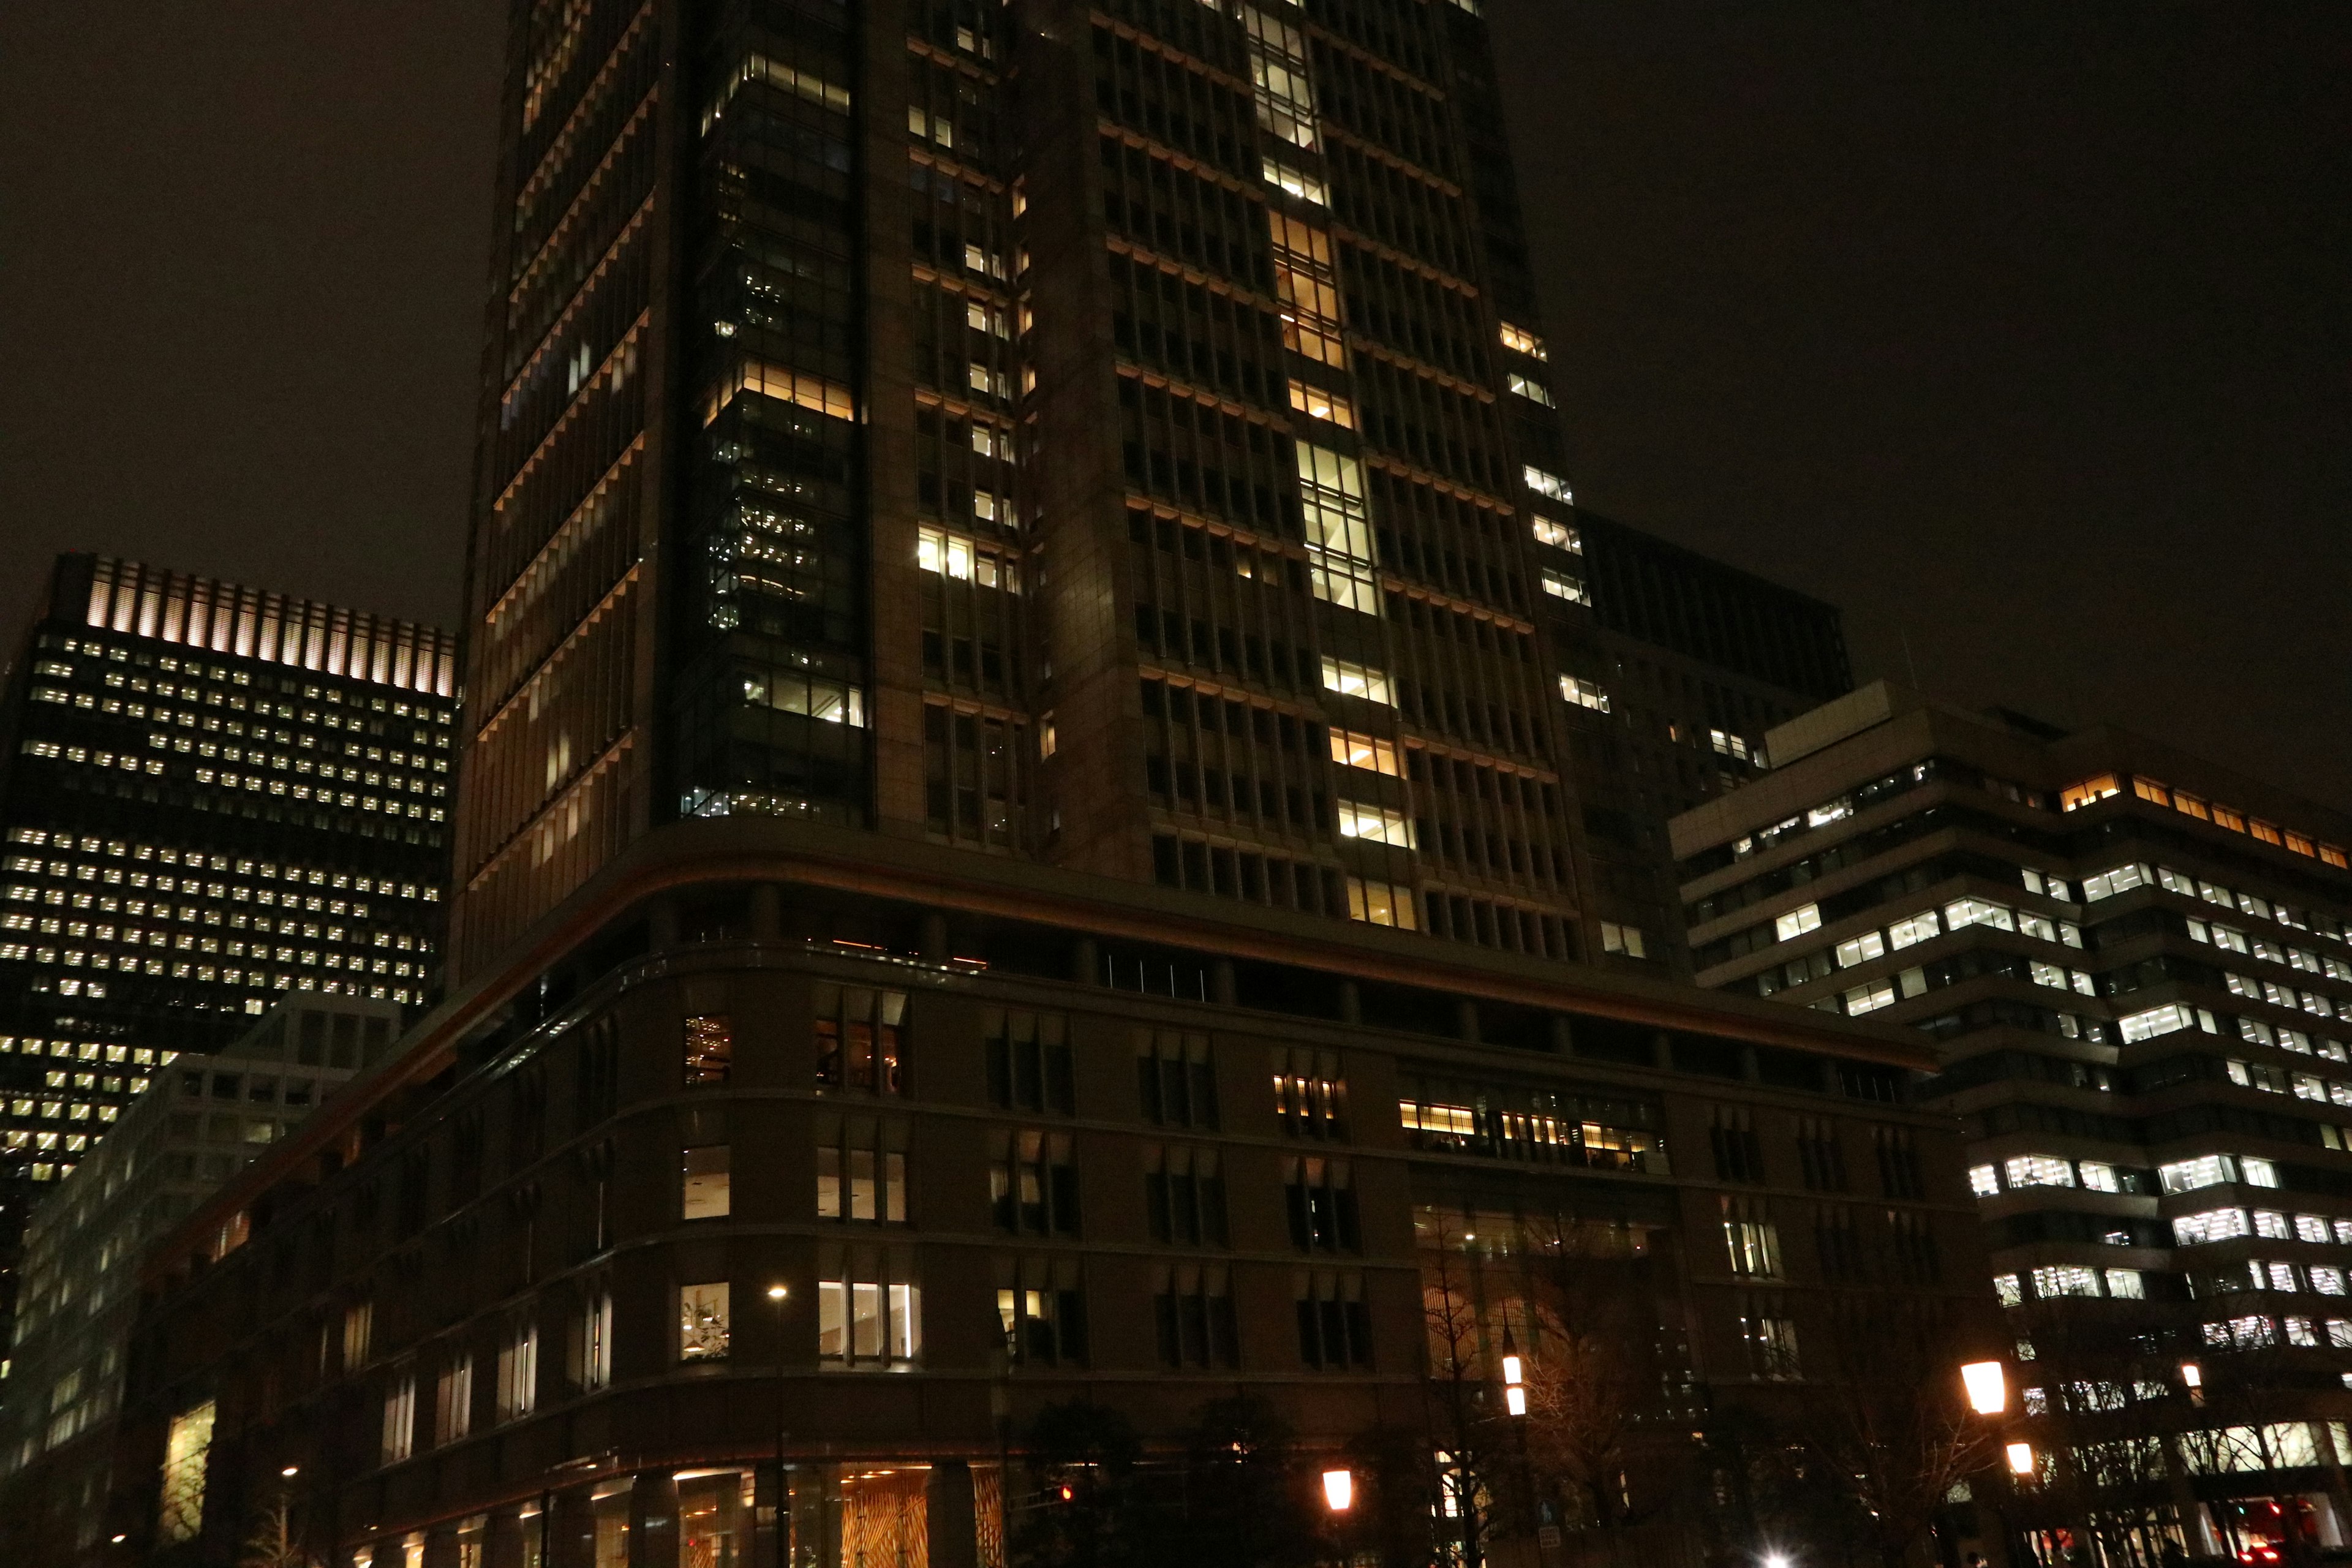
(211, 798)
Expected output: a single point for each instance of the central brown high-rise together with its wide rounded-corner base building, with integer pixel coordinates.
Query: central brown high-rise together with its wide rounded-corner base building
(1008, 634)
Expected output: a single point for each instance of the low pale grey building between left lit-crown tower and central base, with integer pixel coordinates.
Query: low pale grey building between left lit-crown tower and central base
(203, 1123)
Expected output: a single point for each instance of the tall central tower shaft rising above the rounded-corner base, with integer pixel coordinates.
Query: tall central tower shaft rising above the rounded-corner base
(1118, 460)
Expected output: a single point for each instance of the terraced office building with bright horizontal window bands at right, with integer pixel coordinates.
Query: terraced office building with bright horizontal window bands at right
(2137, 970)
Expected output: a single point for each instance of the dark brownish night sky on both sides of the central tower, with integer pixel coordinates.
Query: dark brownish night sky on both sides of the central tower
(2017, 330)
